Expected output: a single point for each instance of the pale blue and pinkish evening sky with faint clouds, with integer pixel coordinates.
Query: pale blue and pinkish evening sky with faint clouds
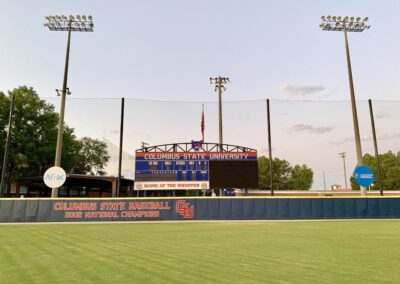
(159, 55)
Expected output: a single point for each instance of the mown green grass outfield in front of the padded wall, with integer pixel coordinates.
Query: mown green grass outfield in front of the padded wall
(202, 252)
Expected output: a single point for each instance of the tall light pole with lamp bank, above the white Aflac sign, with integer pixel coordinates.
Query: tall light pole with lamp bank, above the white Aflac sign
(75, 24)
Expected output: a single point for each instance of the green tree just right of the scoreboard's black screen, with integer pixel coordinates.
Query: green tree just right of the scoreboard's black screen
(284, 177)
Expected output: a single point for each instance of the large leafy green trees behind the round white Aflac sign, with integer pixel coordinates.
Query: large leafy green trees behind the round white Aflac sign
(33, 139)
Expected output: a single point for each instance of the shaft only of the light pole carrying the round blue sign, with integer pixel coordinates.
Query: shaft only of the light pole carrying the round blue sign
(363, 190)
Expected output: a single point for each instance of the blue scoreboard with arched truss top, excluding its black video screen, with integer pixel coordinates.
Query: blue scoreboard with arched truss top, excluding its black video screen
(182, 166)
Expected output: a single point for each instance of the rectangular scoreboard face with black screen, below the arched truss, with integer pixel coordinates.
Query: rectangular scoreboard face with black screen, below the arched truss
(188, 170)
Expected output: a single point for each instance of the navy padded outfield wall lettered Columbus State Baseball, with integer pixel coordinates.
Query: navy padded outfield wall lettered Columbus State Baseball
(234, 208)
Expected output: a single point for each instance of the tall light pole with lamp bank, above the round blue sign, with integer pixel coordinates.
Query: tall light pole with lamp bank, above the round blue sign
(349, 24)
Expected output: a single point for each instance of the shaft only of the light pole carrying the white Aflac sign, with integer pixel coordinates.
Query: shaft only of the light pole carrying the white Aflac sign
(57, 162)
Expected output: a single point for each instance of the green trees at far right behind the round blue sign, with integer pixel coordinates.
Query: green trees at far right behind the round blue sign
(390, 170)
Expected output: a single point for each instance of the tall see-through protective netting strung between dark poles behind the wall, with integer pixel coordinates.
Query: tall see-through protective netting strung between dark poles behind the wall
(303, 132)
